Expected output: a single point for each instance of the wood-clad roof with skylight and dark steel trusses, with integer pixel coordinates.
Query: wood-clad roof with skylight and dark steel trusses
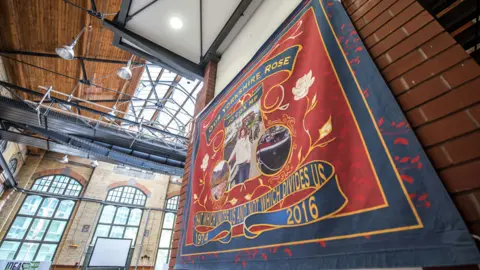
(80, 107)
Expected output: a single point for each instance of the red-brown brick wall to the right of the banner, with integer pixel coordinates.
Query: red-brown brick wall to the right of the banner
(437, 85)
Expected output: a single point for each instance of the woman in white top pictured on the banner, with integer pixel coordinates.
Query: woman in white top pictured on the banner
(242, 153)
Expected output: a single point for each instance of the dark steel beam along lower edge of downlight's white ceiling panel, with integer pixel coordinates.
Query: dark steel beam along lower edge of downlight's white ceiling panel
(178, 63)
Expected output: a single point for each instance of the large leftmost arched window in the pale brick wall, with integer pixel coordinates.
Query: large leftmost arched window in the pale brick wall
(39, 225)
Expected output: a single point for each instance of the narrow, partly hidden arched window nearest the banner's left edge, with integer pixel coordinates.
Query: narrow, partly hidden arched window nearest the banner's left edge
(166, 236)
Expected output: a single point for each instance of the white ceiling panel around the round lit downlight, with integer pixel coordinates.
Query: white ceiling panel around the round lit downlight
(153, 23)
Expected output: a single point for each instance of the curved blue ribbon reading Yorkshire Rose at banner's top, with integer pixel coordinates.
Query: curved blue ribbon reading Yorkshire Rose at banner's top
(283, 61)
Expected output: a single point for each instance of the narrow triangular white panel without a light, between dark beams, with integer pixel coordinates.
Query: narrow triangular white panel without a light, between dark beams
(215, 14)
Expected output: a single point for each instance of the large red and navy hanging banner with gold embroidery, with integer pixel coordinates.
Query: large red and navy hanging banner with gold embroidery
(305, 161)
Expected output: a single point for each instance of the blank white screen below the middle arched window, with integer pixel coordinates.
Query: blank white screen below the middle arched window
(110, 252)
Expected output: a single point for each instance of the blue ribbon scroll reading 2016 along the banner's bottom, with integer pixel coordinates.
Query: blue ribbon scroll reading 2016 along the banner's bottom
(322, 197)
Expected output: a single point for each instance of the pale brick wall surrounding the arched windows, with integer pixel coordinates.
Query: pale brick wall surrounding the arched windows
(96, 184)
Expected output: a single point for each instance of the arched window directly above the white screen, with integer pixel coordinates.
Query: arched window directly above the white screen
(121, 221)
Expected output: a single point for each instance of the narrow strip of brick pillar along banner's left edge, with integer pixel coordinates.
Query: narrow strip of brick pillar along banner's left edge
(203, 98)
